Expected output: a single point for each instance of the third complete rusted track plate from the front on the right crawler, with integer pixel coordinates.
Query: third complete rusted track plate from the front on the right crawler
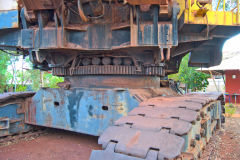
(154, 112)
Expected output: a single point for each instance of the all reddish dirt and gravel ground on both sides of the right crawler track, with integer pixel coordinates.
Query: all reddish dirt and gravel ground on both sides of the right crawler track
(64, 145)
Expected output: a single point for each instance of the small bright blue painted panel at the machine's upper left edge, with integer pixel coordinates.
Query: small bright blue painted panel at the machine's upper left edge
(9, 19)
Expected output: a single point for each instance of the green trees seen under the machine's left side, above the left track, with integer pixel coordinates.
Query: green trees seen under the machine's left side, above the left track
(22, 79)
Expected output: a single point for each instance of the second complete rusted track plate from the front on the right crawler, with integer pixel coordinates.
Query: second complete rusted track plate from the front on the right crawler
(154, 124)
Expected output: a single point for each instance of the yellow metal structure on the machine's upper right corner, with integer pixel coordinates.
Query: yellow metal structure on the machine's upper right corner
(196, 13)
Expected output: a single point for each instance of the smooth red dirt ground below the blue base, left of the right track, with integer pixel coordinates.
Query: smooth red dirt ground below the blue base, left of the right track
(58, 145)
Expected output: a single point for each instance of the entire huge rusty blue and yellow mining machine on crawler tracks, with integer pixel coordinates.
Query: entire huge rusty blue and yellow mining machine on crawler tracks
(115, 56)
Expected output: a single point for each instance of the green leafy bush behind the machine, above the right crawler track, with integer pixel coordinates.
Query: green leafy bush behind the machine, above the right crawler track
(194, 80)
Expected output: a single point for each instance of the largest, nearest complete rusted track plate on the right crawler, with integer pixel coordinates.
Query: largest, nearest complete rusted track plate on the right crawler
(137, 142)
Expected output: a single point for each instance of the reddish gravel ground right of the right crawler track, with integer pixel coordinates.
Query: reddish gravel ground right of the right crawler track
(226, 144)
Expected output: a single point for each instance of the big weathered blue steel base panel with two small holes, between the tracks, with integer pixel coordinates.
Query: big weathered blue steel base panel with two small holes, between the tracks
(88, 111)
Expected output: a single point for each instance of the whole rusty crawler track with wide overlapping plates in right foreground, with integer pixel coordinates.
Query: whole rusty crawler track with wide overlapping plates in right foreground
(176, 127)
